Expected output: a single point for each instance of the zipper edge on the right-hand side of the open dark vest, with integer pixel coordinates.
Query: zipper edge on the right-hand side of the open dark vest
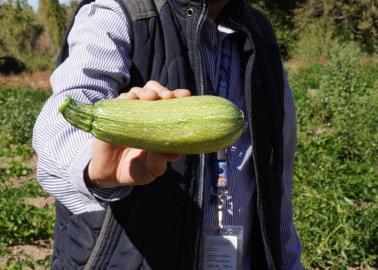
(248, 92)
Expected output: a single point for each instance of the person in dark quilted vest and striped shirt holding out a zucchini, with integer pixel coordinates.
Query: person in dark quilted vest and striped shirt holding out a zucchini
(125, 208)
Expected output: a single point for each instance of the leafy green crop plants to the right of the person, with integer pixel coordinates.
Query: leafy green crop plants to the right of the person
(336, 188)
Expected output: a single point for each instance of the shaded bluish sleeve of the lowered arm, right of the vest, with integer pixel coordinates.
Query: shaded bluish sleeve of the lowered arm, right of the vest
(291, 245)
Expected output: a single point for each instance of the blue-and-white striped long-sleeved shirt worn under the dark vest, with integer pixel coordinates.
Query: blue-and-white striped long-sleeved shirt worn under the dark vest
(97, 67)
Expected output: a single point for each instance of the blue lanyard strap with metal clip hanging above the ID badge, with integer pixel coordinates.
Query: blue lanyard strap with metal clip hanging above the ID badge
(223, 91)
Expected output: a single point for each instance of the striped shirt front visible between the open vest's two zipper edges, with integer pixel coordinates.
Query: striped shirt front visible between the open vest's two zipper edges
(238, 206)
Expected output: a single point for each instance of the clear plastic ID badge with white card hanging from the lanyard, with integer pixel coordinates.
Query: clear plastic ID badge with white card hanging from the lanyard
(223, 249)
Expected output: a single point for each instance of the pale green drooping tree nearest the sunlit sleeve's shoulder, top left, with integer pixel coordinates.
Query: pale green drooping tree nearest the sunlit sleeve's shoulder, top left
(53, 19)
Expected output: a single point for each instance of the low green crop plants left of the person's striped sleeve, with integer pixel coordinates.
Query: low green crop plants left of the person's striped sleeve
(21, 221)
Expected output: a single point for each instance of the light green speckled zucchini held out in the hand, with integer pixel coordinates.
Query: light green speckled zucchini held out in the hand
(188, 125)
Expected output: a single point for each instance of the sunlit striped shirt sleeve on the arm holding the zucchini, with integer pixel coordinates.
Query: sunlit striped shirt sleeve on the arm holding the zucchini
(96, 68)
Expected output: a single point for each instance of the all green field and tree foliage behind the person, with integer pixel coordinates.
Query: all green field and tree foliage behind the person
(330, 52)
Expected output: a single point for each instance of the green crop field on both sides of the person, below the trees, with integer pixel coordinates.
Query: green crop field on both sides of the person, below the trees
(335, 185)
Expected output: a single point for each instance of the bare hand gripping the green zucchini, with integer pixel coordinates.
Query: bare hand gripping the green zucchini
(114, 166)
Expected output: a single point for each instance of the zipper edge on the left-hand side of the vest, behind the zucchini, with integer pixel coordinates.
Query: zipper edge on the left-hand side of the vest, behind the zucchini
(203, 86)
